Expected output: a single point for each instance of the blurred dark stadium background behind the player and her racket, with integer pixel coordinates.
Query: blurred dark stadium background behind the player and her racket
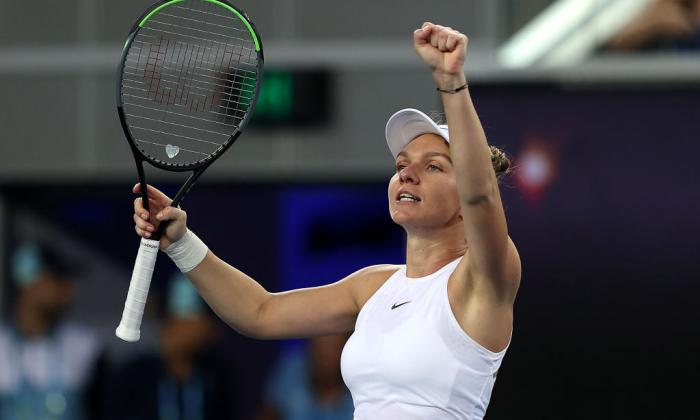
(596, 101)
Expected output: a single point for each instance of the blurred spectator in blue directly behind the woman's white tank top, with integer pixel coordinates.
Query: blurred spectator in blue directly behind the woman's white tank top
(309, 385)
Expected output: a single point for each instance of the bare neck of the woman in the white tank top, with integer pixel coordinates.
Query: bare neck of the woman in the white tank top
(428, 251)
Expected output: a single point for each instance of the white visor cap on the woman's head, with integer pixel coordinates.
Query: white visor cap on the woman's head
(406, 125)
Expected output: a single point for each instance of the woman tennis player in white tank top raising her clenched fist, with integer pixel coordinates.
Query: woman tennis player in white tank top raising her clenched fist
(430, 335)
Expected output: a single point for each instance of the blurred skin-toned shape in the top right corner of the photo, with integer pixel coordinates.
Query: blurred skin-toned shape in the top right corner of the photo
(663, 25)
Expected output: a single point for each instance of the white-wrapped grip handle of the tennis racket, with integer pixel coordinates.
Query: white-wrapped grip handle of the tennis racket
(129, 328)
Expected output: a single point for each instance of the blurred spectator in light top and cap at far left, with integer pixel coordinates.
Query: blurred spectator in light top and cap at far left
(49, 369)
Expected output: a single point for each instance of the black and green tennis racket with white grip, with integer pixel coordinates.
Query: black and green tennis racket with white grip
(188, 80)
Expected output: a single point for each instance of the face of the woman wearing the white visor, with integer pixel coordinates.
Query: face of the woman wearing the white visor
(423, 191)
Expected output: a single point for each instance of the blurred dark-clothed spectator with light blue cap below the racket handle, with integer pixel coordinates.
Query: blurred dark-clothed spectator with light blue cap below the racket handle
(188, 381)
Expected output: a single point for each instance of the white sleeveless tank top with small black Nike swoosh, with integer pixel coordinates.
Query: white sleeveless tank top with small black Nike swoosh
(410, 359)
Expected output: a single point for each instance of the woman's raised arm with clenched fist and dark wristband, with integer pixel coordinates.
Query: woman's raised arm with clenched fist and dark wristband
(493, 258)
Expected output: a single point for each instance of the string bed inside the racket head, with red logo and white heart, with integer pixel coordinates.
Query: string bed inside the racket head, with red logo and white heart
(188, 81)
